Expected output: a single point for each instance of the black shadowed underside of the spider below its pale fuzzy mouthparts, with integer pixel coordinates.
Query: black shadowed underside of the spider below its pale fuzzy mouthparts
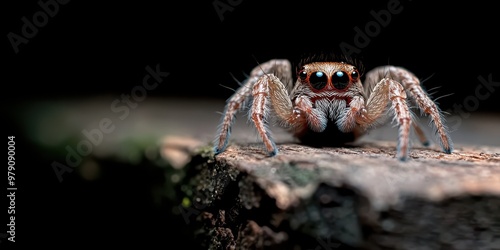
(330, 137)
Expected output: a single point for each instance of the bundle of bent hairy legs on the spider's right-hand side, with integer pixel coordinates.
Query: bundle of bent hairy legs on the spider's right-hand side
(394, 84)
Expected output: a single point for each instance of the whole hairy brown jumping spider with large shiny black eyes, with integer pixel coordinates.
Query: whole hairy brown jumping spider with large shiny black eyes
(328, 104)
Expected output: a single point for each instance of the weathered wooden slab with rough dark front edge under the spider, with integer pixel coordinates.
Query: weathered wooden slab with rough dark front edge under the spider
(357, 197)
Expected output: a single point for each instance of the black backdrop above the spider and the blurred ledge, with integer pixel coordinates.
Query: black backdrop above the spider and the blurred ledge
(90, 48)
